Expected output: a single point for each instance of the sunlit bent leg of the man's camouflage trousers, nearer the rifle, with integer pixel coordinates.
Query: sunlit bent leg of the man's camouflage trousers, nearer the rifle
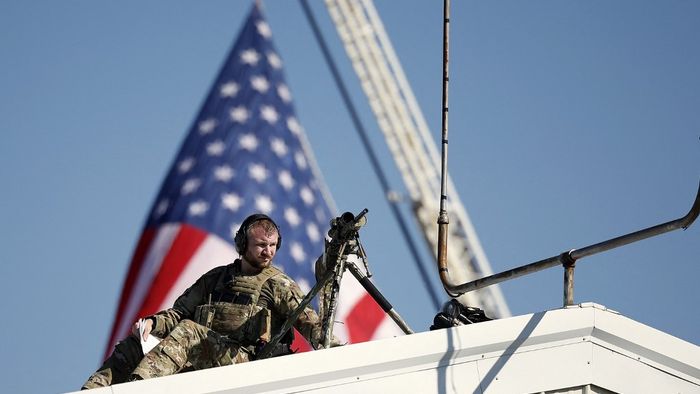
(190, 343)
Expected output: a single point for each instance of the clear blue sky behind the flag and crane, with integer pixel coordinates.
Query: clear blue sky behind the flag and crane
(570, 123)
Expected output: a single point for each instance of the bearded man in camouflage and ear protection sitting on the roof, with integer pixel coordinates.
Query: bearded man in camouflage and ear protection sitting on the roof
(222, 319)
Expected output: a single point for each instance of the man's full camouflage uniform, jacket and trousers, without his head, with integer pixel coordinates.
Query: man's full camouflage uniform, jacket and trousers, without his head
(187, 342)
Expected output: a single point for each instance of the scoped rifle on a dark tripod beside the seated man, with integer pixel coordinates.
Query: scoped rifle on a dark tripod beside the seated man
(329, 274)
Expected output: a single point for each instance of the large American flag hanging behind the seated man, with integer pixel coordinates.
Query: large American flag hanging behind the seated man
(246, 152)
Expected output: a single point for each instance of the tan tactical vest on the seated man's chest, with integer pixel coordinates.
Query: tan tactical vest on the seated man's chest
(236, 310)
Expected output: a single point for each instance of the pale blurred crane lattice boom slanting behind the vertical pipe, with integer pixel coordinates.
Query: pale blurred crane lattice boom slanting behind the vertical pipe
(408, 137)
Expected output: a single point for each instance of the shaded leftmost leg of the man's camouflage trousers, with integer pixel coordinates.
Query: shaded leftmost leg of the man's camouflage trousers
(118, 367)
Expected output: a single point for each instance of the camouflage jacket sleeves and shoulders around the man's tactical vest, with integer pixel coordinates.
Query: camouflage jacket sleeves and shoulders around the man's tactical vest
(280, 294)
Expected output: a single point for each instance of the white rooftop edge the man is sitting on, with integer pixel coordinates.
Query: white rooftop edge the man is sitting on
(582, 348)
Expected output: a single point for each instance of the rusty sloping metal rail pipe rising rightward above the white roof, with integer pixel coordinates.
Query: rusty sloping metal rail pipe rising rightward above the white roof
(570, 257)
